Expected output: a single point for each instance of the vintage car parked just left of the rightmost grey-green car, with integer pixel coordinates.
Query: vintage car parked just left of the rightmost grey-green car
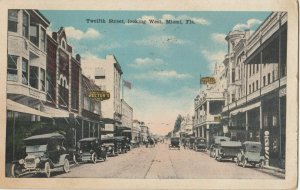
(227, 149)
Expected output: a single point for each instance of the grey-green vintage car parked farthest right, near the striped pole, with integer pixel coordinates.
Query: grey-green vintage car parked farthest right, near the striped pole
(250, 154)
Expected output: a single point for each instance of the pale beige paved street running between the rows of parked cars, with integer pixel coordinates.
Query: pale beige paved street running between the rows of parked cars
(162, 163)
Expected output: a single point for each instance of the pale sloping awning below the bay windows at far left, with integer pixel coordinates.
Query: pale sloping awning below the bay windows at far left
(17, 107)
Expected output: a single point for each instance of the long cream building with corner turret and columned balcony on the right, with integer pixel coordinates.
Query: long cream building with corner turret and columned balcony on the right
(255, 107)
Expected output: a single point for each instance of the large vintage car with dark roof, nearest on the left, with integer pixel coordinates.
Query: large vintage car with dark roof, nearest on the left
(44, 154)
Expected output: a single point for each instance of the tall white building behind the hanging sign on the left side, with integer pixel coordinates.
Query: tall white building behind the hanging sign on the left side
(107, 74)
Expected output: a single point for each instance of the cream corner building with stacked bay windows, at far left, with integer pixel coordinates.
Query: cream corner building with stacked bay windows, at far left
(26, 76)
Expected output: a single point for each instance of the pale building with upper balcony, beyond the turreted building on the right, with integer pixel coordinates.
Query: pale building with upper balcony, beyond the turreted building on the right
(208, 107)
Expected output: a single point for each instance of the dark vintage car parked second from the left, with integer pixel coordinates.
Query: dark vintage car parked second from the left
(91, 149)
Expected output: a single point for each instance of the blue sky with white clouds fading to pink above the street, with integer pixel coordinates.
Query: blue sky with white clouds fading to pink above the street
(163, 62)
